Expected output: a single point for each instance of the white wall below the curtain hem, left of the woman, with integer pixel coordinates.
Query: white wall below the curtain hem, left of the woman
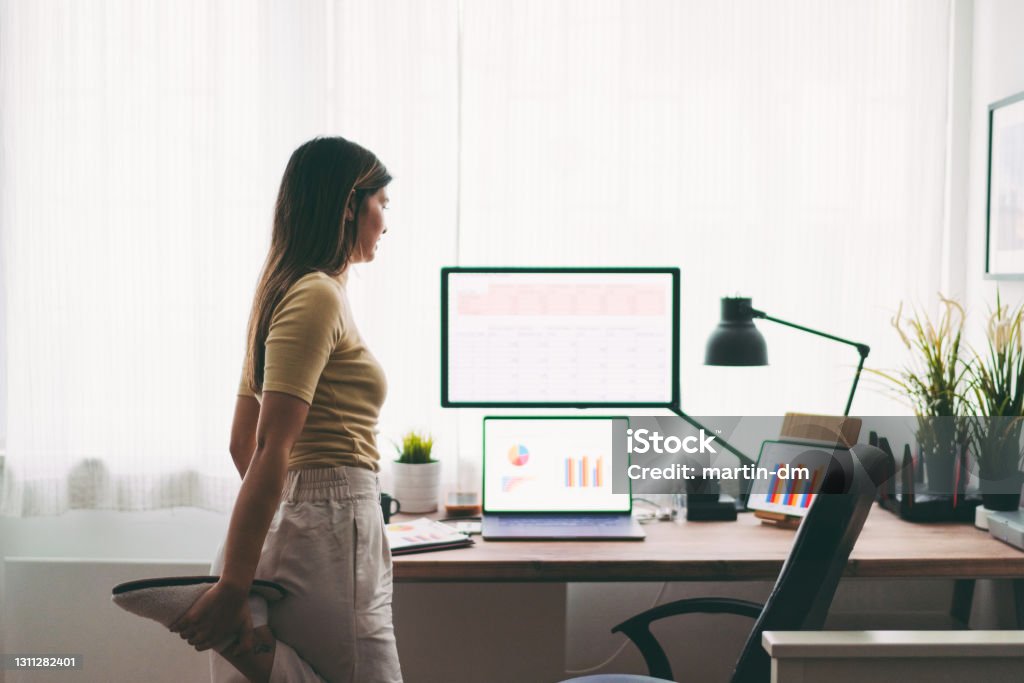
(117, 547)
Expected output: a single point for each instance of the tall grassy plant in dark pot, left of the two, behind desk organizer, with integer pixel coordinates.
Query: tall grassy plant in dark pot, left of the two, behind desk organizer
(932, 382)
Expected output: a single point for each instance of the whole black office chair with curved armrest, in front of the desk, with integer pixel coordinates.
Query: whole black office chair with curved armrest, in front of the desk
(805, 588)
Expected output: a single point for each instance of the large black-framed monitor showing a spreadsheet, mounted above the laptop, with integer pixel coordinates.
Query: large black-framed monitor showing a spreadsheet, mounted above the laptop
(560, 337)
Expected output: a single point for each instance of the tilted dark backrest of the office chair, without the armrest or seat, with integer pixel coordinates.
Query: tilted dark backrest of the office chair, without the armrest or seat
(805, 588)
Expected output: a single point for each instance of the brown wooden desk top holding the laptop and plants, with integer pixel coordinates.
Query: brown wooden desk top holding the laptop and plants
(721, 551)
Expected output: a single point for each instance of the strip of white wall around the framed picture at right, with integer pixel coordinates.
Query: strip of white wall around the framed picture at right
(998, 71)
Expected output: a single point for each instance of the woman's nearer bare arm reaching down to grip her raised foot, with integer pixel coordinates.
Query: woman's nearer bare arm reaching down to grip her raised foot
(223, 612)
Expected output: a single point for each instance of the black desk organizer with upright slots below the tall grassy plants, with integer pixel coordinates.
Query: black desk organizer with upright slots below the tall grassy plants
(915, 503)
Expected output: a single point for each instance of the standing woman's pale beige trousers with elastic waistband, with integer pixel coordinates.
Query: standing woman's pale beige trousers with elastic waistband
(327, 548)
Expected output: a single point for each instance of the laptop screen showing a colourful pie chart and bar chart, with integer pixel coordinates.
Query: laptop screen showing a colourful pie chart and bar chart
(550, 465)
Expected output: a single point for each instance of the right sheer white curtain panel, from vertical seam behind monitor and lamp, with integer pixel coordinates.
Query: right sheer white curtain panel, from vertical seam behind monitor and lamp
(790, 151)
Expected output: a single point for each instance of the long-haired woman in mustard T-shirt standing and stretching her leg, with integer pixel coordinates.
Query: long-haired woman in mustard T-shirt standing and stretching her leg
(308, 516)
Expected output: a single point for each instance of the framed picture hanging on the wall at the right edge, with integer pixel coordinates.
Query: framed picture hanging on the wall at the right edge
(1005, 202)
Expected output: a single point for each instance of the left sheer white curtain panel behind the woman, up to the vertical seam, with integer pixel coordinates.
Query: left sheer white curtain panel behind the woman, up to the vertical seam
(143, 147)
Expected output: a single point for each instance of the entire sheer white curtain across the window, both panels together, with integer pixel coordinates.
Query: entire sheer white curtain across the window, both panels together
(791, 151)
